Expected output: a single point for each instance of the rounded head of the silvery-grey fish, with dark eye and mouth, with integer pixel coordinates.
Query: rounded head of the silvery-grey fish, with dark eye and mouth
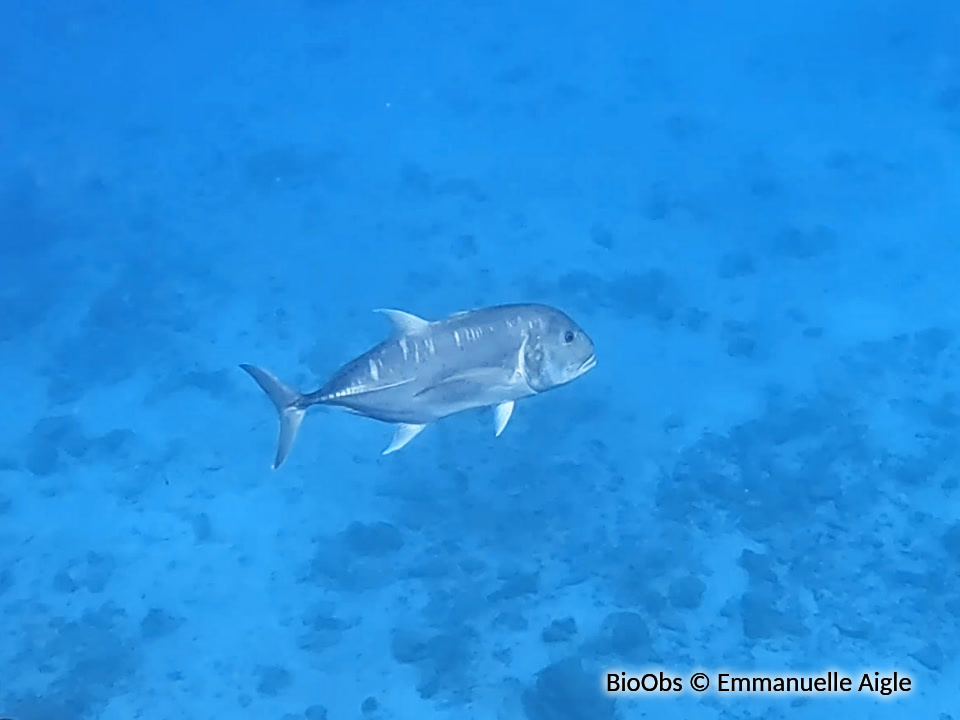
(556, 352)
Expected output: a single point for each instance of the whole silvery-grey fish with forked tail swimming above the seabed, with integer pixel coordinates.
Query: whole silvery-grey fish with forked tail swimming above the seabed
(425, 370)
